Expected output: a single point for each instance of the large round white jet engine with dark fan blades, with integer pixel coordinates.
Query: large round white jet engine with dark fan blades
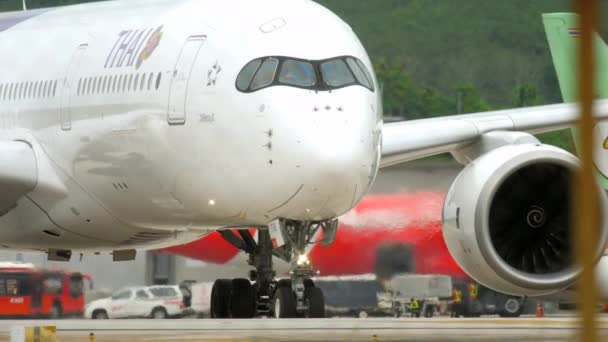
(507, 219)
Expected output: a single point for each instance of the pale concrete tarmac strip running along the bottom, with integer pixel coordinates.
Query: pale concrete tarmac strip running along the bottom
(403, 329)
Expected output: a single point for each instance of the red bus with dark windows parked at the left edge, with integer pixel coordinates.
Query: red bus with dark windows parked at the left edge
(27, 291)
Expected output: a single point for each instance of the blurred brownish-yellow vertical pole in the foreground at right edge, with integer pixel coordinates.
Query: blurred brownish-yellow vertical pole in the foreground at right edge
(586, 204)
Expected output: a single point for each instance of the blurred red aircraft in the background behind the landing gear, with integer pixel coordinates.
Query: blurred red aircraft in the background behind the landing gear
(385, 234)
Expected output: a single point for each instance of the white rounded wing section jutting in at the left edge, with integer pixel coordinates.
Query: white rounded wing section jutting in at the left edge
(18, 173)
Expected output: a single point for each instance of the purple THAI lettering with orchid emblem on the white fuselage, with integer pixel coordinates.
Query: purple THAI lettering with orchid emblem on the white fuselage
(133, 47)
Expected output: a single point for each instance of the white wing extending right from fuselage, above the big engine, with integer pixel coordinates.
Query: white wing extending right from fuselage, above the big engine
(409, 140)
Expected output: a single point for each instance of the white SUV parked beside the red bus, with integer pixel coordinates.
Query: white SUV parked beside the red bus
(152, 301)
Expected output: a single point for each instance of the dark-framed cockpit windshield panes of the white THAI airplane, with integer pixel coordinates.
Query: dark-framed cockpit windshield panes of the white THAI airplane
(324, 75)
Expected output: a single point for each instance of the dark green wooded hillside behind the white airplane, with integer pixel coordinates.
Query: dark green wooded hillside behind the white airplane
(494, 45)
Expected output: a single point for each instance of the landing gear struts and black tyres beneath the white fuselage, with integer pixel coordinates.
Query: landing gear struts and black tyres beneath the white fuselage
(286, 298)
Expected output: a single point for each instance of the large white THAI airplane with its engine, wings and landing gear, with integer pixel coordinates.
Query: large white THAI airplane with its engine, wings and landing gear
(148, 123)
